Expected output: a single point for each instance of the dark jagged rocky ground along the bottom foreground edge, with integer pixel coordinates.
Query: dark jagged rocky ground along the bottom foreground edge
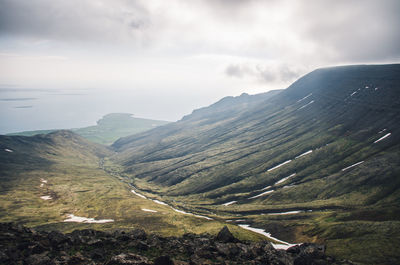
(21, 245)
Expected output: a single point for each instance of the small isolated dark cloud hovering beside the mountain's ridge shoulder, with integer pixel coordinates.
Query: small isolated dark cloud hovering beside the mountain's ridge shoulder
(281, 73)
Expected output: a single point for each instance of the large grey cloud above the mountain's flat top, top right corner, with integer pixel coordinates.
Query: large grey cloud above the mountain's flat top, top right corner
(351, 30)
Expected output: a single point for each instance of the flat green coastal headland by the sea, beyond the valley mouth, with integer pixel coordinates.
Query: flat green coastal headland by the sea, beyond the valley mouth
(109, 128)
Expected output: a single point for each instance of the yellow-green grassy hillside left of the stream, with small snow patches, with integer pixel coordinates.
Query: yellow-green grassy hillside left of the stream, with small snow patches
(45, 178)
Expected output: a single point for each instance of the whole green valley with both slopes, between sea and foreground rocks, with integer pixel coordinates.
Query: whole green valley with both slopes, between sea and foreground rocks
(317, 162)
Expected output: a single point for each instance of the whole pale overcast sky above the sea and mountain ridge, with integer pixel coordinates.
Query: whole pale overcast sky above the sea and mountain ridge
(178, 55)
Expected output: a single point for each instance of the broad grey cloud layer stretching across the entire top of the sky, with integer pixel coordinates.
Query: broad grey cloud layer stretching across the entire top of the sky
(315, 32)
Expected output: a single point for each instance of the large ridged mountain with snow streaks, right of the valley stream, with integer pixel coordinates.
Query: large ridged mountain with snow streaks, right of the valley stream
(319, 161)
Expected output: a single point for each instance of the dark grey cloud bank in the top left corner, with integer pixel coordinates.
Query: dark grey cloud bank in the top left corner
(73, 19)
